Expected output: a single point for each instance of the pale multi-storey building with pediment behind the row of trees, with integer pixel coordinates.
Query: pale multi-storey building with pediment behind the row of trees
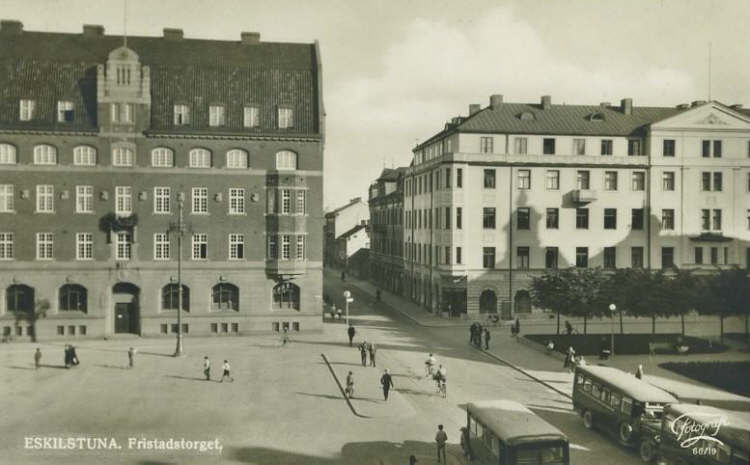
(513, 189)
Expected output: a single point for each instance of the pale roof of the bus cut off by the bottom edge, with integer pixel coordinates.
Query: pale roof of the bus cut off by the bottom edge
(513, 422)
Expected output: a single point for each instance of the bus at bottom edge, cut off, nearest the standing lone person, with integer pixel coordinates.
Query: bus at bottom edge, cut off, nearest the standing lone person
(503, 432)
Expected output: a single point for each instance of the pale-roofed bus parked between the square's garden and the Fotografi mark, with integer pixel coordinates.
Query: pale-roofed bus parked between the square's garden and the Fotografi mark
(618, 402)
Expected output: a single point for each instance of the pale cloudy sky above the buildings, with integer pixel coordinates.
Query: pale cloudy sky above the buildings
(394, 71)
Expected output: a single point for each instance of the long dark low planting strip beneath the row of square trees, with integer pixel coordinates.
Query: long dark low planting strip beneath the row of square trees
(625, 344)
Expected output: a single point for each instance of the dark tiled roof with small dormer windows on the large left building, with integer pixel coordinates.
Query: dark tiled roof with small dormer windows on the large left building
(47, 67)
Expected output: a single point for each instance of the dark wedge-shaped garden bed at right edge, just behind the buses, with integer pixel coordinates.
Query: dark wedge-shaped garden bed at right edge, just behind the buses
(730, 376)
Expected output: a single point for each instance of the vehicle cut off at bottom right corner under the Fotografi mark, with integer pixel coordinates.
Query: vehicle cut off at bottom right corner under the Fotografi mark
(700, 435)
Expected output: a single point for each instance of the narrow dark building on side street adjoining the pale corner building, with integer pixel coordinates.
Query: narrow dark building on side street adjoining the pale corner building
(386, 196)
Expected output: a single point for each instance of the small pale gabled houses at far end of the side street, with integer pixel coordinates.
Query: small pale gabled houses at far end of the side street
(345, 232)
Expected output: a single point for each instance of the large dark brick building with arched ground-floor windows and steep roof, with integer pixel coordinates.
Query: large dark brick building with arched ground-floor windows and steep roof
(103, 142)
